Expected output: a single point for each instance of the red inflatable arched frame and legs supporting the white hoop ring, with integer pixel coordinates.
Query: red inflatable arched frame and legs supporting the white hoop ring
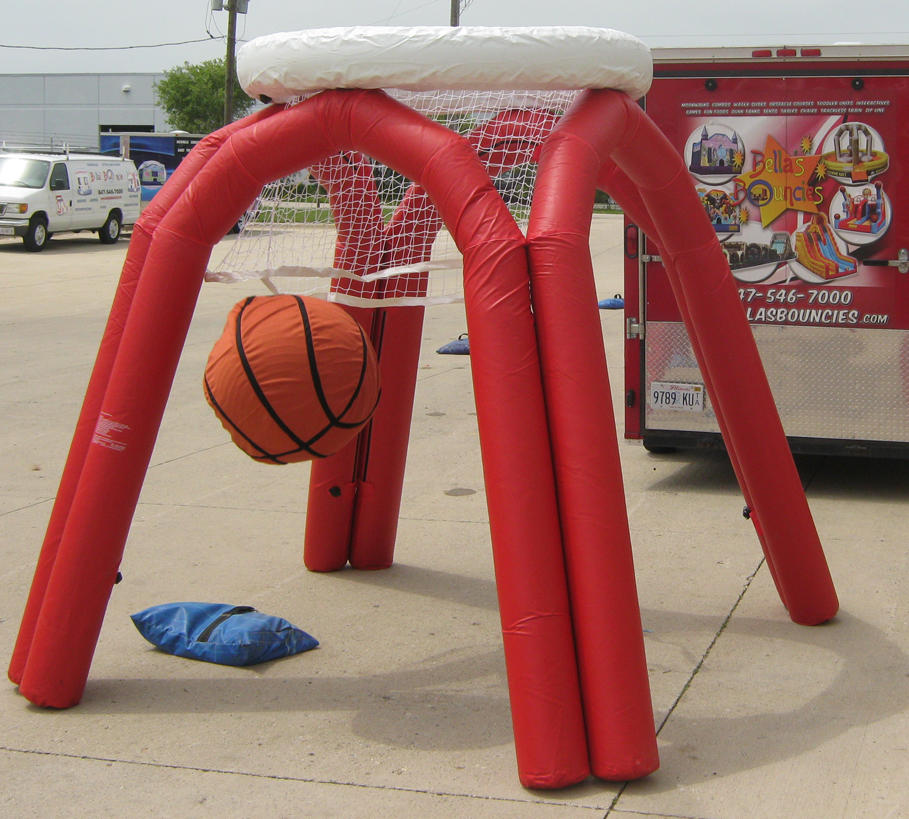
(571, 625)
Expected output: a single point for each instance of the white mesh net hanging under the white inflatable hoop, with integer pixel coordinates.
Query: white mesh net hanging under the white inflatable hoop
(357, 232)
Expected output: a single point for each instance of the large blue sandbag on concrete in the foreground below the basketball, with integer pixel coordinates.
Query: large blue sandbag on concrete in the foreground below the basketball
(220, 633)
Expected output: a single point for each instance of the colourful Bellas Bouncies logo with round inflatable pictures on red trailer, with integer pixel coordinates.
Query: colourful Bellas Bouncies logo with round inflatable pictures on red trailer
(793, 211)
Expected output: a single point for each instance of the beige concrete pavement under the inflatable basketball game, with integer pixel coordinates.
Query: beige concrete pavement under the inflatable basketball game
(403, 709)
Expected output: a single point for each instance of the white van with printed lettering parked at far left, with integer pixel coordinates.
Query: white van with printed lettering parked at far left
(42, 194)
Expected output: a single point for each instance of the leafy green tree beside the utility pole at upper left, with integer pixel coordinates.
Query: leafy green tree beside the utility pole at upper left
(193, 96)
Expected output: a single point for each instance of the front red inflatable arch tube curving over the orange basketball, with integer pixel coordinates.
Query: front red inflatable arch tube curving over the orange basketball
(533, 598)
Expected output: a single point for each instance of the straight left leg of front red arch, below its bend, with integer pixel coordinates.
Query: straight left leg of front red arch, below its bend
(91, 546)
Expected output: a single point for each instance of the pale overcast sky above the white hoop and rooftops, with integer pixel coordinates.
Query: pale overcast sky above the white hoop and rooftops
(66, 36)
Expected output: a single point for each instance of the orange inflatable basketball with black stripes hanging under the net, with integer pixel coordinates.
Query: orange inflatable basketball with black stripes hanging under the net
(291, 378)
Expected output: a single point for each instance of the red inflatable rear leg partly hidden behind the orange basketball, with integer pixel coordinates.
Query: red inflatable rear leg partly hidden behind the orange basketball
(355, 495)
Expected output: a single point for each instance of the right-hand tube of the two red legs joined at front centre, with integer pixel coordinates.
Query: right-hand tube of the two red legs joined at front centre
(613, 668)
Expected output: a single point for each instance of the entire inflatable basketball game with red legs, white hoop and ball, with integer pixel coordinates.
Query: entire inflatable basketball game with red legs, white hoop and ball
(563, 99)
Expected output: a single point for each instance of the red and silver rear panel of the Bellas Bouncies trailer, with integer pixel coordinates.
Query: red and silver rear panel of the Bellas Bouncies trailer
(801, 171)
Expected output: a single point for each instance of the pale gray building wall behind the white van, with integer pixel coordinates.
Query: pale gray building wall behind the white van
(53, 109)
